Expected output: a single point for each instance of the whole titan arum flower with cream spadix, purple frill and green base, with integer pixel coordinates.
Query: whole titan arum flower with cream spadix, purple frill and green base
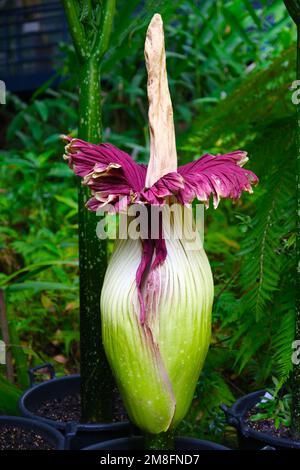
(157, 295)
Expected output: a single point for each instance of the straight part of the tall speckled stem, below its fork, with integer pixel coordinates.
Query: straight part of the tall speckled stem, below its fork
(96, 379)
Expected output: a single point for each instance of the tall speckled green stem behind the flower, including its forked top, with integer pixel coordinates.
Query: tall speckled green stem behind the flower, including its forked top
(96, 377)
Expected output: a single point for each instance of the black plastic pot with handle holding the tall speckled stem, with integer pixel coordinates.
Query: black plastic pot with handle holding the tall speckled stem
(79, 435)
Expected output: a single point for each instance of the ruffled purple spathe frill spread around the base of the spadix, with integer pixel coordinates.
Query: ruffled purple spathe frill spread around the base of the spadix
(112, 174)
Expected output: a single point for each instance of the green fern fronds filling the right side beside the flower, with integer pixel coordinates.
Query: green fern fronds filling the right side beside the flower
(255, 308)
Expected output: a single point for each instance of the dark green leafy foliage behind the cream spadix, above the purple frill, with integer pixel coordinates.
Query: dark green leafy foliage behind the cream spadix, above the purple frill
(207, 57)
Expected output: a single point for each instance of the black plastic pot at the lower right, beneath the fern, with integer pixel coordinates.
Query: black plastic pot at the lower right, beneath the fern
(249, 438)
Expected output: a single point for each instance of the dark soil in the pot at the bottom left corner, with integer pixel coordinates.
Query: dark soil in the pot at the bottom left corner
(14, 437)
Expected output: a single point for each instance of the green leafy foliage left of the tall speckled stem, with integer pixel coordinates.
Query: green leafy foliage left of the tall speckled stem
(38, 236)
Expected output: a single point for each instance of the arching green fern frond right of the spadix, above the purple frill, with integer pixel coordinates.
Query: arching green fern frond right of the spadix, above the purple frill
(261, 99)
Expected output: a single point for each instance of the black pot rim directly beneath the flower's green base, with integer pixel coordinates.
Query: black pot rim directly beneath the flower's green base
(136, 443)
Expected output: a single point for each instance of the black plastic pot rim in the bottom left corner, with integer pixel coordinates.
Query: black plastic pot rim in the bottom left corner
(51, 435)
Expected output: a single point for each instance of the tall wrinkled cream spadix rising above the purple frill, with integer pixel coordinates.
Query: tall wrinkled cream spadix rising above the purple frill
(163, 155)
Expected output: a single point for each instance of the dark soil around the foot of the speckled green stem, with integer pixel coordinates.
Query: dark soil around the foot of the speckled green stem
(67, 408)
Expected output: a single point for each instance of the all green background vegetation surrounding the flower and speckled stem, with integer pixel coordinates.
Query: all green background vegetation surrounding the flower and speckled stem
(230, 64)
